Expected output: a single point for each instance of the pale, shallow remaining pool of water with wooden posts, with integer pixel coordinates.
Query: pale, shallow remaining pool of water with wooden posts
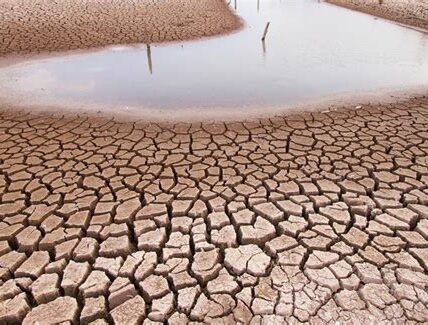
(312, 50)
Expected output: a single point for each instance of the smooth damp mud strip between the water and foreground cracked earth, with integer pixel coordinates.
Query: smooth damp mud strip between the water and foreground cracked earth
(344, 101)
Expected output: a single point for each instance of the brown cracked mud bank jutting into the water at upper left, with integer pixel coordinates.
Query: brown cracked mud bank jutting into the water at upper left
(43, 26)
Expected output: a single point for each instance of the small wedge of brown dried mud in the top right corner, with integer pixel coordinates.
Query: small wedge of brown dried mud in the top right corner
(409, 12)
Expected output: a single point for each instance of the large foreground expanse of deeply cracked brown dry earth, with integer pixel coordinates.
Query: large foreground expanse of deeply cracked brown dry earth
(317, 218)
